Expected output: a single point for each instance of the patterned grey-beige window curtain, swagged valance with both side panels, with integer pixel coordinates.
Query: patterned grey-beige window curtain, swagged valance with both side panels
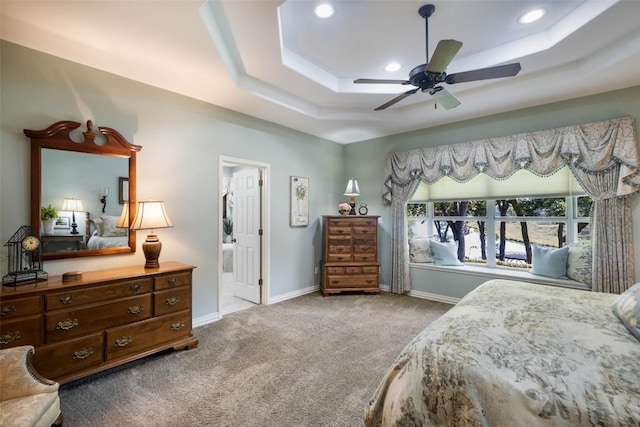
(603, 157)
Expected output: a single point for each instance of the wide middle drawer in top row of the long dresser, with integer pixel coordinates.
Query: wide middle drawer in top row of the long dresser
(77, 297)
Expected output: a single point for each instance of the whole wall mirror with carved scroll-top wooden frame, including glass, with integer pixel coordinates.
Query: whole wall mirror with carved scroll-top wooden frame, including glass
(89, 179)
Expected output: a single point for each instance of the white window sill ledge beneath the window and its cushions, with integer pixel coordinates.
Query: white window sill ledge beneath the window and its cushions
(500, 273)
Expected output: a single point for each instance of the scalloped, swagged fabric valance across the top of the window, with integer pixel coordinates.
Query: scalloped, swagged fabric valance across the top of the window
(591, 148)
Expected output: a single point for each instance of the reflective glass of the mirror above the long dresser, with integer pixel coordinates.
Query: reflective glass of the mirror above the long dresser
(93, 180)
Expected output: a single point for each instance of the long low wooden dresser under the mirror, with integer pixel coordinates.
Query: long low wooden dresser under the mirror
(104, 319)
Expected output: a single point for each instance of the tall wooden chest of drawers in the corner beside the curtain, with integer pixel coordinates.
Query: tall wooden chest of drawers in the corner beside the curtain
(350, 254)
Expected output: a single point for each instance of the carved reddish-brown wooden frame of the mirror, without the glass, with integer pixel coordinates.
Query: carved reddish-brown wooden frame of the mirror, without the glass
(57, 137)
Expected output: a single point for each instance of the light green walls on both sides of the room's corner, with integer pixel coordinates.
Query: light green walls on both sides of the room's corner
(182, 139)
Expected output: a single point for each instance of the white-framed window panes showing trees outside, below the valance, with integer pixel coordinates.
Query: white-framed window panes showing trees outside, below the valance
(500, 232)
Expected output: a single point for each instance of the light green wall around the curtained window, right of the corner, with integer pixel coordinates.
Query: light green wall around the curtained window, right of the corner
(366, 160)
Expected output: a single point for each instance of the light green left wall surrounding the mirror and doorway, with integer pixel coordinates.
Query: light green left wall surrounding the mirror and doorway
(181, 141)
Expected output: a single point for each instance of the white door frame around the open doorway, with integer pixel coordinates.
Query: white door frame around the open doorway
(266, 223)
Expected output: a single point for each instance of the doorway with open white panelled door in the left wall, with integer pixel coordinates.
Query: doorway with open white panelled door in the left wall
(243, 245)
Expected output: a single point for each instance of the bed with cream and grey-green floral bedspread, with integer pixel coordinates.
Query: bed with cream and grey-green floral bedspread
(517, 354)
